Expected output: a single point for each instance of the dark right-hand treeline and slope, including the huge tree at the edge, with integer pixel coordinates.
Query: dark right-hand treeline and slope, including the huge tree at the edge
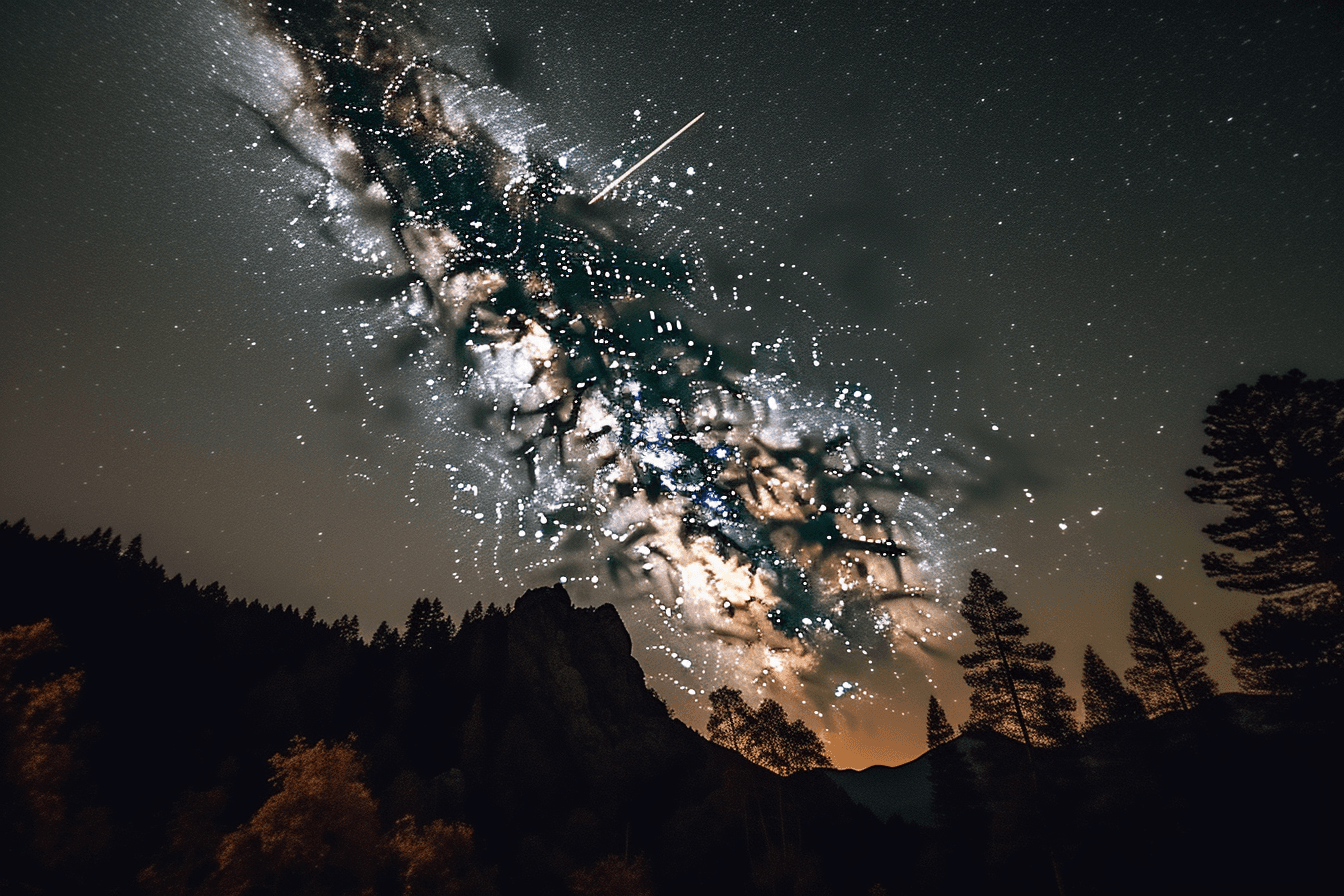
(1162, 776)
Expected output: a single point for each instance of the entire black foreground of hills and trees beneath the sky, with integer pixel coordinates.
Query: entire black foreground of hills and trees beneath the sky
(162, 738)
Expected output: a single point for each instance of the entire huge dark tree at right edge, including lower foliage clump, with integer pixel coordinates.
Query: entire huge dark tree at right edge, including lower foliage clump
(1279, 467)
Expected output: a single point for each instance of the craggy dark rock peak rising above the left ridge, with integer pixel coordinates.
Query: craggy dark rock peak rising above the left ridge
(560, 721)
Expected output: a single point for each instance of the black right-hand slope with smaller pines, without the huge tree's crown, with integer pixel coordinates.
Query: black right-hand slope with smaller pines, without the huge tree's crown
(1148, 793)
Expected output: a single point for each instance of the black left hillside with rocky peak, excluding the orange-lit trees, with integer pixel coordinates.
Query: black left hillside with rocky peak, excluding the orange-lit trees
(533, 726)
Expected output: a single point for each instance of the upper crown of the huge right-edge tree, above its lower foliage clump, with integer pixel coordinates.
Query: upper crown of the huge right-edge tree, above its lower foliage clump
(1279, 465)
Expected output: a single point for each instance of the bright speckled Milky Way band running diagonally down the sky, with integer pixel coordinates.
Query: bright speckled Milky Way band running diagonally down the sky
(771, 537)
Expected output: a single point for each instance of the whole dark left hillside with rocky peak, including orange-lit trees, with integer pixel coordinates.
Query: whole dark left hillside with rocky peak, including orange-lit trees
(162, 738)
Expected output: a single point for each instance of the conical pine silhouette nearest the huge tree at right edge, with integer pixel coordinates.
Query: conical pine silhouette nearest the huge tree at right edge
(1169, 671)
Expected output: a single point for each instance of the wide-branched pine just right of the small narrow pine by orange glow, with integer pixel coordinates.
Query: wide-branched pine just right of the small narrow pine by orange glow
(1014, 690)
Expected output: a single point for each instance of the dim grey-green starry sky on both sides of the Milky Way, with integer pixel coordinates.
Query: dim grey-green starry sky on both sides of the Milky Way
(1041, 236)
